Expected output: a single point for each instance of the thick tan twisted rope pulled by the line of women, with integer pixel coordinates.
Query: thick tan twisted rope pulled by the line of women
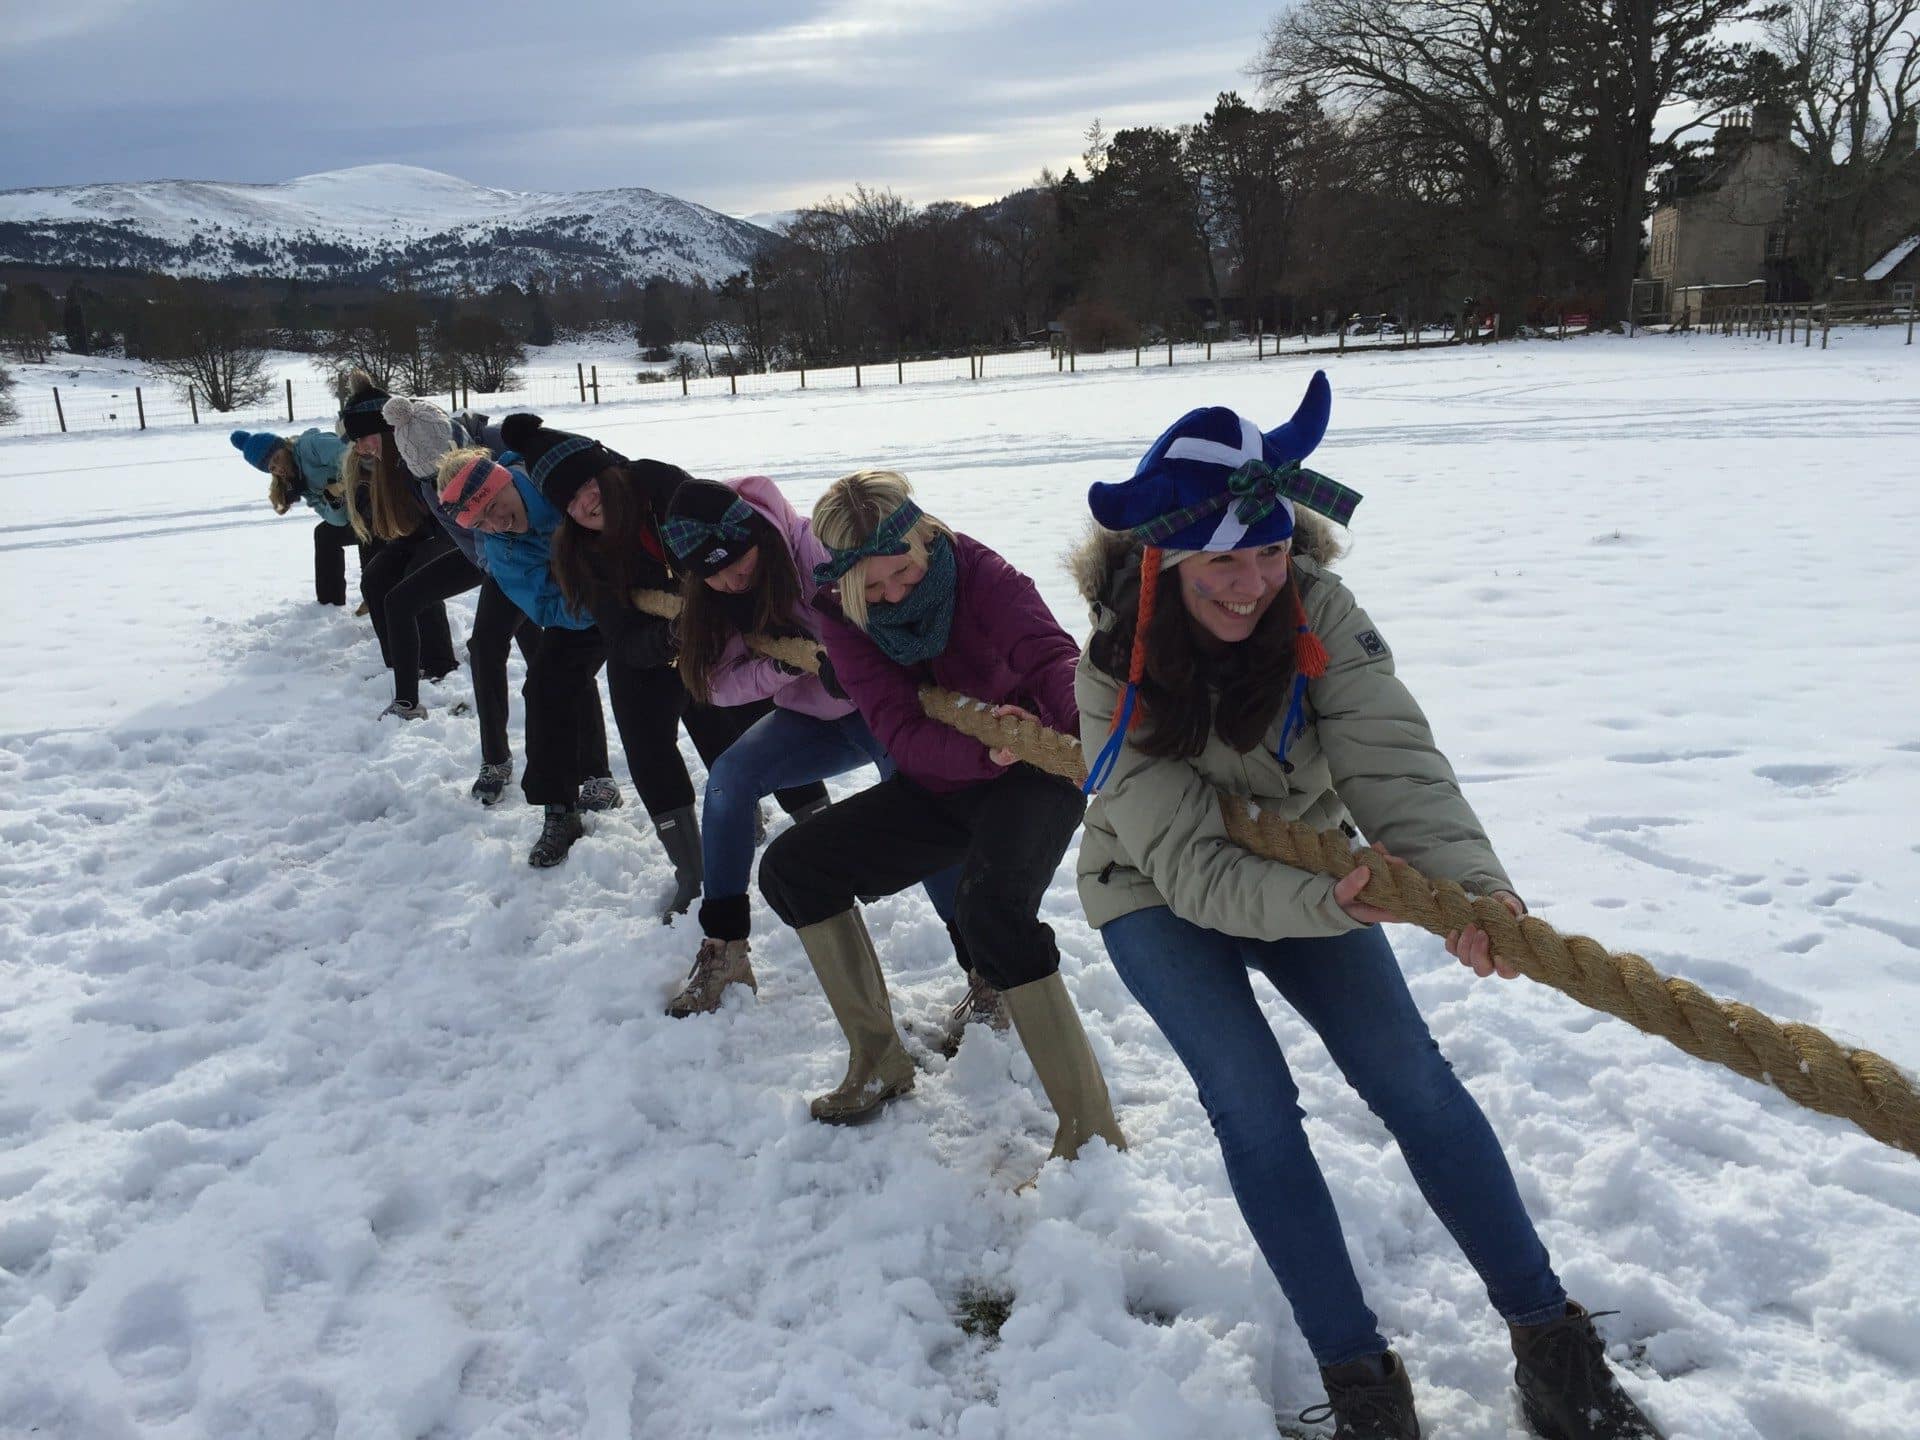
(1802, 1063)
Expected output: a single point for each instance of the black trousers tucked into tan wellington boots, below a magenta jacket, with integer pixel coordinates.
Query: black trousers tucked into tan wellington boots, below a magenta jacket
(1007, 836)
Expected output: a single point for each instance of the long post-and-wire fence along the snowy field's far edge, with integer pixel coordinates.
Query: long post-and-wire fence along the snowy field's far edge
(619, 381)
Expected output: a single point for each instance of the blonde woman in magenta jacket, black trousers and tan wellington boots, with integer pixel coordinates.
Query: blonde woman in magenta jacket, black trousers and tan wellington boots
(919, 606)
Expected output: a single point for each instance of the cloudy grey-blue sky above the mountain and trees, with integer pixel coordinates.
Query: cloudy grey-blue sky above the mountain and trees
(738, 105)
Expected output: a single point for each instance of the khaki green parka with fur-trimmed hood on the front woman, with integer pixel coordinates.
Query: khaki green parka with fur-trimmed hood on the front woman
(1368, 759)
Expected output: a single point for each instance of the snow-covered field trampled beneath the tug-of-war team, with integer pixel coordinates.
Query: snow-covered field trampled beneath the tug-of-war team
(324, 1116)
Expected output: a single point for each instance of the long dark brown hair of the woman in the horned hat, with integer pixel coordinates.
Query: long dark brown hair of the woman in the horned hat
(1191, 688)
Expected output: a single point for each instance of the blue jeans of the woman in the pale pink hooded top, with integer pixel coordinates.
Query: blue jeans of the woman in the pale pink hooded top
(784, 750)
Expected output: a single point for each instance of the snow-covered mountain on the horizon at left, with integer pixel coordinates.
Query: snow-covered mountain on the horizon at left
(370, 224)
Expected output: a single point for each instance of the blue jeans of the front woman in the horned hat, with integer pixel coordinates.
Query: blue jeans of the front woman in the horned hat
(1349, 988)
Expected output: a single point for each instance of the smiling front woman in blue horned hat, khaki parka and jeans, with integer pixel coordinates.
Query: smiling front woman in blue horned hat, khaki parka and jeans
(1226, 658)
